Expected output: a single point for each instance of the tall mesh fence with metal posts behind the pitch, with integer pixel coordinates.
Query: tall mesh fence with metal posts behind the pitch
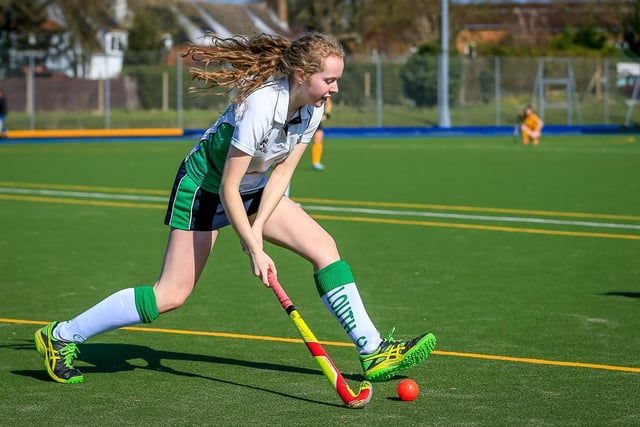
(152, 90)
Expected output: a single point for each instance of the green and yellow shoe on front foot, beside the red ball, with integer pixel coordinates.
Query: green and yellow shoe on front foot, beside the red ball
(394, 356)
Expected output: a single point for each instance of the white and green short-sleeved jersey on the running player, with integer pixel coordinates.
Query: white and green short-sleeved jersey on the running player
(258, 127)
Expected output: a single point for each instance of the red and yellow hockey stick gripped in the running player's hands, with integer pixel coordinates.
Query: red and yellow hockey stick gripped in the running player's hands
(350, 399)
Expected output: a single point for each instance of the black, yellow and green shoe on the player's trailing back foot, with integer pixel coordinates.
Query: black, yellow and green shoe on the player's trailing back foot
(58, 356)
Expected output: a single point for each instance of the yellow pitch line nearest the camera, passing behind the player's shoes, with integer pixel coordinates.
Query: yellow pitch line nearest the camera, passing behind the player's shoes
(344, 344)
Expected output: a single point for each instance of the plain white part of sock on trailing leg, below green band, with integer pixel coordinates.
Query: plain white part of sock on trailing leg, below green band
(115, 311)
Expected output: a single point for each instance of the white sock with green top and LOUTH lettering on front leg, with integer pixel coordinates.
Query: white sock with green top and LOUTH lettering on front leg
(337, 287)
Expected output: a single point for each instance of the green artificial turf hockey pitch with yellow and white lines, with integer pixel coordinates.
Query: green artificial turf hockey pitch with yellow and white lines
(524, 261)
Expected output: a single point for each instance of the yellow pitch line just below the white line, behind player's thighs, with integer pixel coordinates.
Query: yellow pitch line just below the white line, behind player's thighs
(342, 218)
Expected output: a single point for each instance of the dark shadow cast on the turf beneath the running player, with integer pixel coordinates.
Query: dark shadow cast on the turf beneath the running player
(108, 358)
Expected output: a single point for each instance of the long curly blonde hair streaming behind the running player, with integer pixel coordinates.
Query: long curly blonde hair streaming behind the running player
(246, 63)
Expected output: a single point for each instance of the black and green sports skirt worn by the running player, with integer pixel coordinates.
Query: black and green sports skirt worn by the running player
(192, 208)
